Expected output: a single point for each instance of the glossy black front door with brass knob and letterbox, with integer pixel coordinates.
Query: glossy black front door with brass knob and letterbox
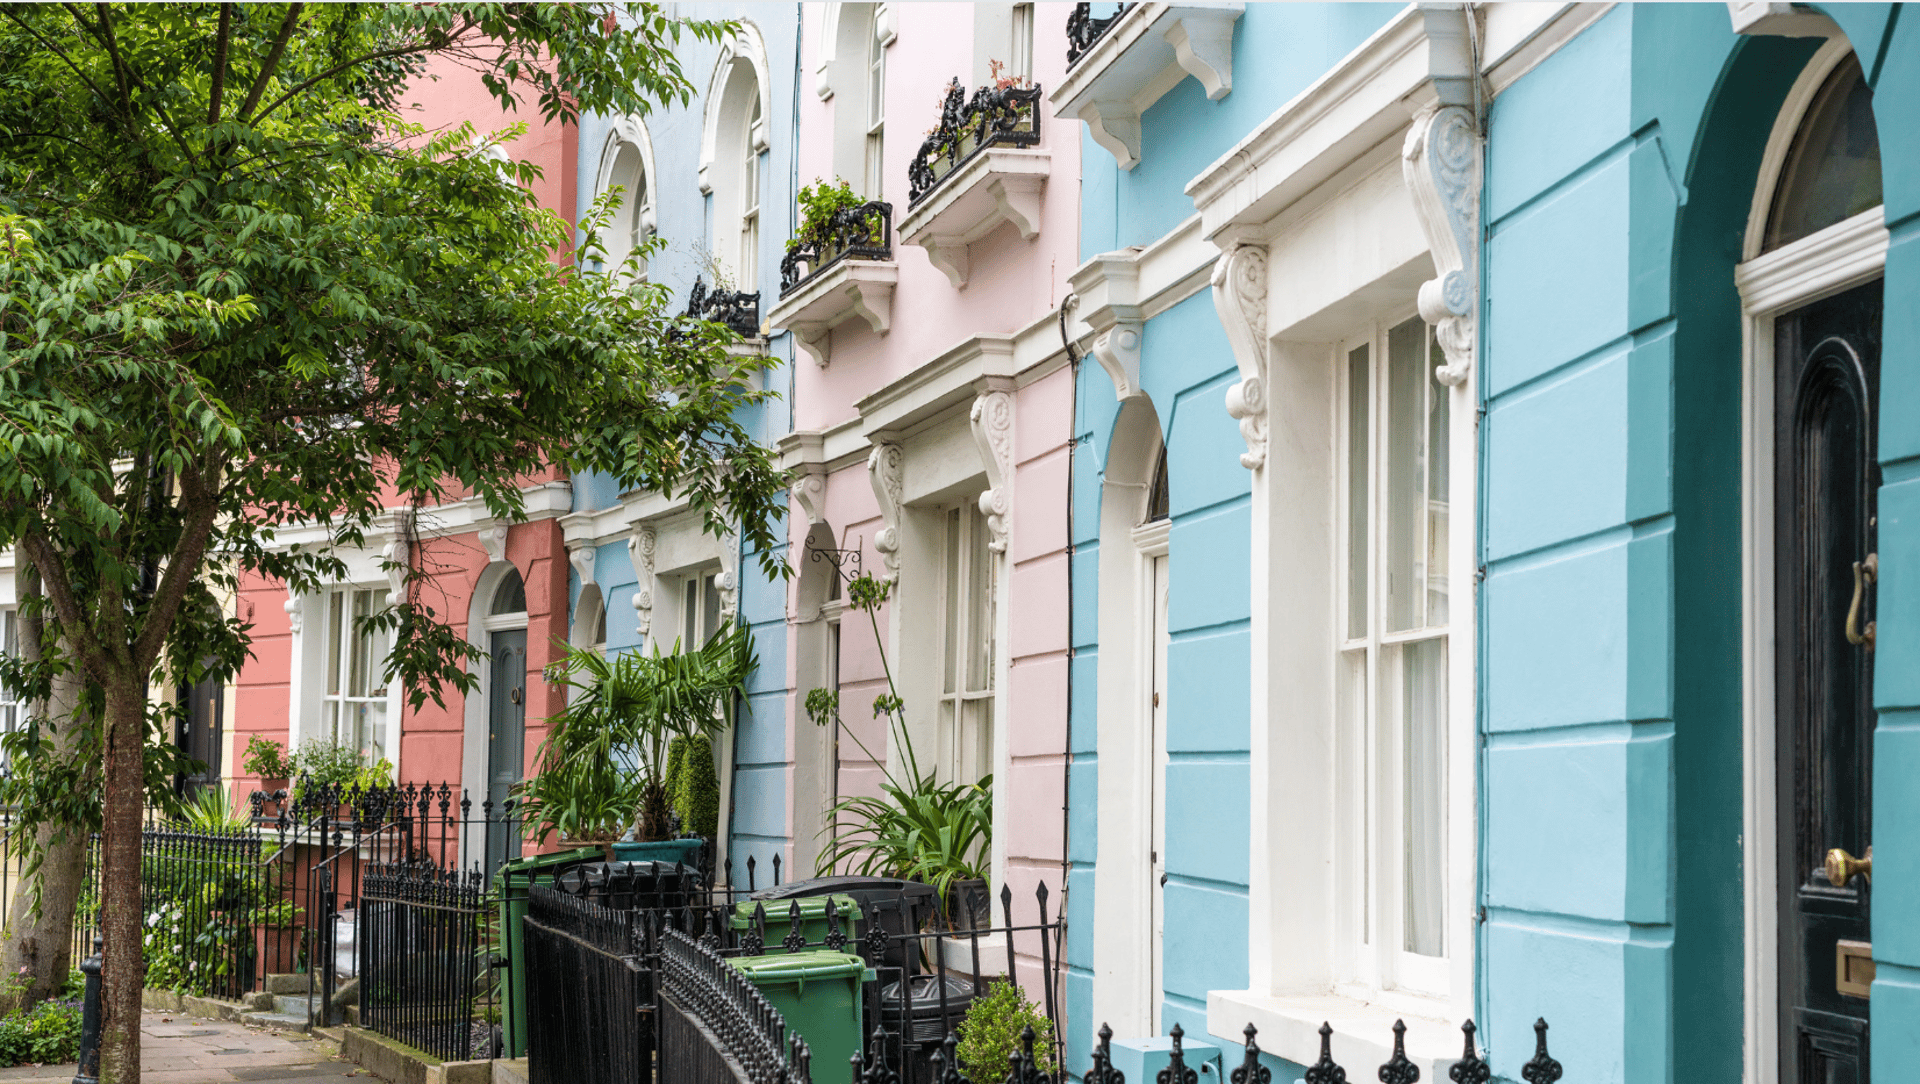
(1827, 479)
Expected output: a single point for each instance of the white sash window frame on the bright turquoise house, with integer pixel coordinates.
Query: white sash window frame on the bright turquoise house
(1372, 912)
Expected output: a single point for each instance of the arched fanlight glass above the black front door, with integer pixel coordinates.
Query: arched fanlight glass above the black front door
(1833, 168)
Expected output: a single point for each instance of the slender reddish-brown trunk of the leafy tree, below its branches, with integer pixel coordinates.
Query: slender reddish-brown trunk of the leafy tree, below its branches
(120, 882)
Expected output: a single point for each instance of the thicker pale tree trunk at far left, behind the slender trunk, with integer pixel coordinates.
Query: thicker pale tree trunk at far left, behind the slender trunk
(39, 939)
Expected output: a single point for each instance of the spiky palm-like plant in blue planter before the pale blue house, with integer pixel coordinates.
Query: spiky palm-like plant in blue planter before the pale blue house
(604, 759)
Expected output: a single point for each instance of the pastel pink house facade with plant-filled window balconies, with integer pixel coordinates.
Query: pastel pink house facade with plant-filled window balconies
(932, 425)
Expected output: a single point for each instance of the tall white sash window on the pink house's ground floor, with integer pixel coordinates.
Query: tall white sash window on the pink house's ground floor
(965, 648)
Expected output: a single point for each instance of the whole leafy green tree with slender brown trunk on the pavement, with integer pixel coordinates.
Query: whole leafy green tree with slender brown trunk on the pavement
(239, 293)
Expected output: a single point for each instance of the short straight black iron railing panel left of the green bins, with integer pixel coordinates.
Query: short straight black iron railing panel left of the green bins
(427, 960)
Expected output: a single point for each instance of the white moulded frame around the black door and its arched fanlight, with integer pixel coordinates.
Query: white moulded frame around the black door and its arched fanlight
(1819, 266)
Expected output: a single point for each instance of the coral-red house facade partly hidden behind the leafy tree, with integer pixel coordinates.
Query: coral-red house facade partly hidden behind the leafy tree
(502, 586)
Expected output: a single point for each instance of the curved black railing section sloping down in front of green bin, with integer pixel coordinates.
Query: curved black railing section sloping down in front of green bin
(717, 1027)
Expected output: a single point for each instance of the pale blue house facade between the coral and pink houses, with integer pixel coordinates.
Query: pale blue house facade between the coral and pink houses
(715, 179)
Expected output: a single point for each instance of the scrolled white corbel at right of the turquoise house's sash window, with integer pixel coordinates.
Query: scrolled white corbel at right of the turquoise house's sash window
(1443, 168)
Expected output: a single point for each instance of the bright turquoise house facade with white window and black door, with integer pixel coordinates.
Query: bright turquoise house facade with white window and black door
(1493, 542)
